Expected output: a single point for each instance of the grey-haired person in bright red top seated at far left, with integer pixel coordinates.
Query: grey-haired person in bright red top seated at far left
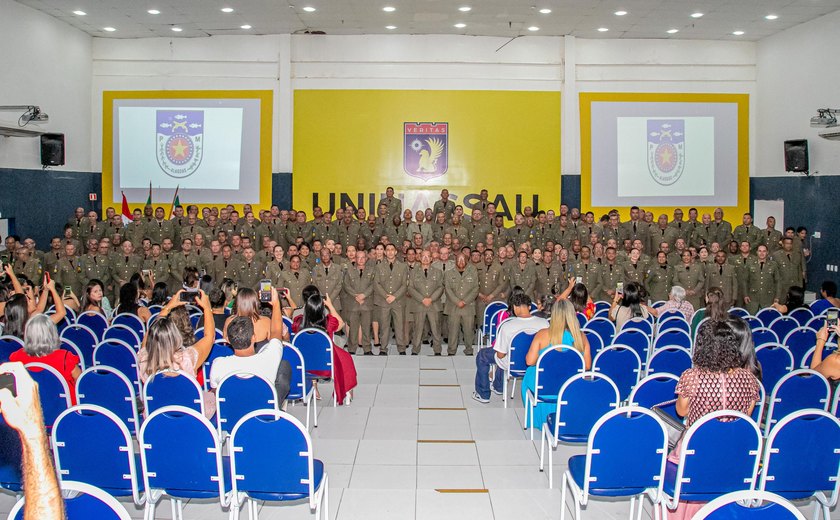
(41, 344)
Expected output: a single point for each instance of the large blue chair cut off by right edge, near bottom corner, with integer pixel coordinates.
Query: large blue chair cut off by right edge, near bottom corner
(802, 459)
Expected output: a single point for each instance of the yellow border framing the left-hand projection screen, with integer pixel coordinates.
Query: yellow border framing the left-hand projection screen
(163, 196)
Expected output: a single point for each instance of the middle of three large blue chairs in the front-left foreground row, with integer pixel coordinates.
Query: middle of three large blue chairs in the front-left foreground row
(183, 470)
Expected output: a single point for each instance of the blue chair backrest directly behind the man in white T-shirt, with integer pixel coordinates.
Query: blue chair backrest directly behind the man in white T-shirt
(238, 395)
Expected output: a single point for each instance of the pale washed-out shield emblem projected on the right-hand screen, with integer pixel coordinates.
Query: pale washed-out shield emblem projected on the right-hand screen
(666, 150)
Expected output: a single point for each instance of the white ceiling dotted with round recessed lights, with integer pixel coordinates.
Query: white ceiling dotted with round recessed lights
(644, 18)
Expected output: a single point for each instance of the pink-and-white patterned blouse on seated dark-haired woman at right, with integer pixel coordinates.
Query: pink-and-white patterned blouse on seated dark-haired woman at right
(709, 392)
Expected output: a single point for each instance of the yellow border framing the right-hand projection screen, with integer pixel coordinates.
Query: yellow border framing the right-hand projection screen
(741, 104)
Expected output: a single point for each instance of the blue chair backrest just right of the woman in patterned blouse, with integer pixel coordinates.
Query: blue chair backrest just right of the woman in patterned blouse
(796, 391)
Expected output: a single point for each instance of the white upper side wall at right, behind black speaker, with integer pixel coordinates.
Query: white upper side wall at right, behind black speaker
(798, 71)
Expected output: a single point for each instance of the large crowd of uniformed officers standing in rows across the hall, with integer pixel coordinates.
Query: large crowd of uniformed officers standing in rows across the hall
(429, 274)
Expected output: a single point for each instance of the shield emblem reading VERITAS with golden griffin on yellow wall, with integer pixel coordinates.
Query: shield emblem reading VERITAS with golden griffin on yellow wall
(426, 150)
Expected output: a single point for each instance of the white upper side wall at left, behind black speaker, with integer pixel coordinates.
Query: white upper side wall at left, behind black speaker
(44, 62)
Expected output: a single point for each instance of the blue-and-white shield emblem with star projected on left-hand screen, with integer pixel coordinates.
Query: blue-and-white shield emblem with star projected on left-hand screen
(180, 141)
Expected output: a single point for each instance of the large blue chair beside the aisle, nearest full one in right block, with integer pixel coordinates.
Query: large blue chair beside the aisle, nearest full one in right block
(609, 469)
